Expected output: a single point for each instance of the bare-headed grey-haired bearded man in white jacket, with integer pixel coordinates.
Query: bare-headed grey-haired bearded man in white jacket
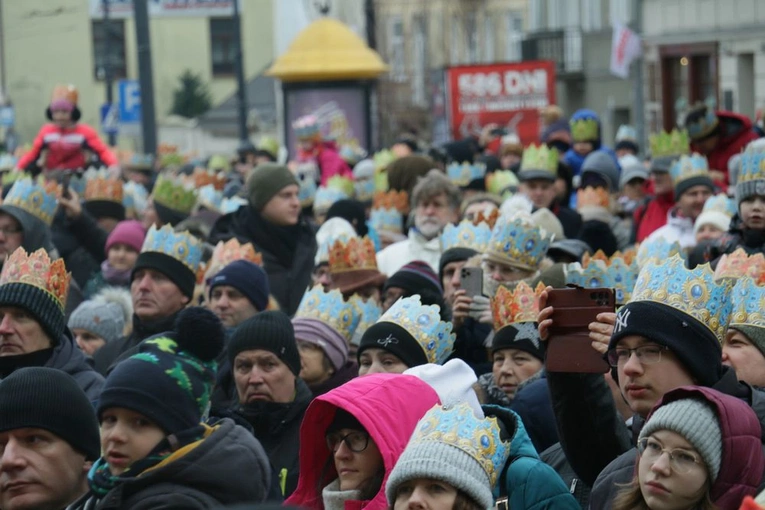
(436, 203)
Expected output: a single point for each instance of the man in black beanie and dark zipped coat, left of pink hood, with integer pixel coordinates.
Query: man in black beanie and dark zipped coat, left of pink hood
(272, 398)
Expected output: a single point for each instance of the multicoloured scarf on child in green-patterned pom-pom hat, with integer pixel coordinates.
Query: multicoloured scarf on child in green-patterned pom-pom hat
(102, 481)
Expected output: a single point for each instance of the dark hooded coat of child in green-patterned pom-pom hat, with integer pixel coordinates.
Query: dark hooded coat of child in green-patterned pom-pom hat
(227, 467)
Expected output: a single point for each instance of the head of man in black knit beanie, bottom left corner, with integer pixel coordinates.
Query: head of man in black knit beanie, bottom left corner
(50, 438)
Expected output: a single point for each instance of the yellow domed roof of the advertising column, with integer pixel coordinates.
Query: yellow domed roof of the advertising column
(327, 50)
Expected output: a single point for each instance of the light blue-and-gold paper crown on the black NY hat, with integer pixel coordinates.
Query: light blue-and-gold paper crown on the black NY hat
(692, 291)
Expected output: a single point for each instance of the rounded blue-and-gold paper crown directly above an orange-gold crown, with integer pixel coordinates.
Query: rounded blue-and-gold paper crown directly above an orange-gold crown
(518, 241)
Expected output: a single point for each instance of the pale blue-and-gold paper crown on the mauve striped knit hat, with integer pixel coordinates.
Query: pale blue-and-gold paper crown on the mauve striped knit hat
(329, 308)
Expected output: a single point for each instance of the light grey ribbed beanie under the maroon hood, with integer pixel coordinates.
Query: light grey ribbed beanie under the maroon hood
(697, 422)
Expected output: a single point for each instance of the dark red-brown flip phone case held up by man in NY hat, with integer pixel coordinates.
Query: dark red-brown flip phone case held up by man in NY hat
(569, 348)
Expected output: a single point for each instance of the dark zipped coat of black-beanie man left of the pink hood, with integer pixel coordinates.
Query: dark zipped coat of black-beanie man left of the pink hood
(277, 427)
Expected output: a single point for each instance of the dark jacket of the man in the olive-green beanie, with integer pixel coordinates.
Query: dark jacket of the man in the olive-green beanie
(288, 280)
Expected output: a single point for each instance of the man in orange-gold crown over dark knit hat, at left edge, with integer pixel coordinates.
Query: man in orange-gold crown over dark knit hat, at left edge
(32, 324)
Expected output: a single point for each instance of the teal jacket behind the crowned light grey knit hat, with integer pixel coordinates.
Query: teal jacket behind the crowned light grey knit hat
(529, 483)
